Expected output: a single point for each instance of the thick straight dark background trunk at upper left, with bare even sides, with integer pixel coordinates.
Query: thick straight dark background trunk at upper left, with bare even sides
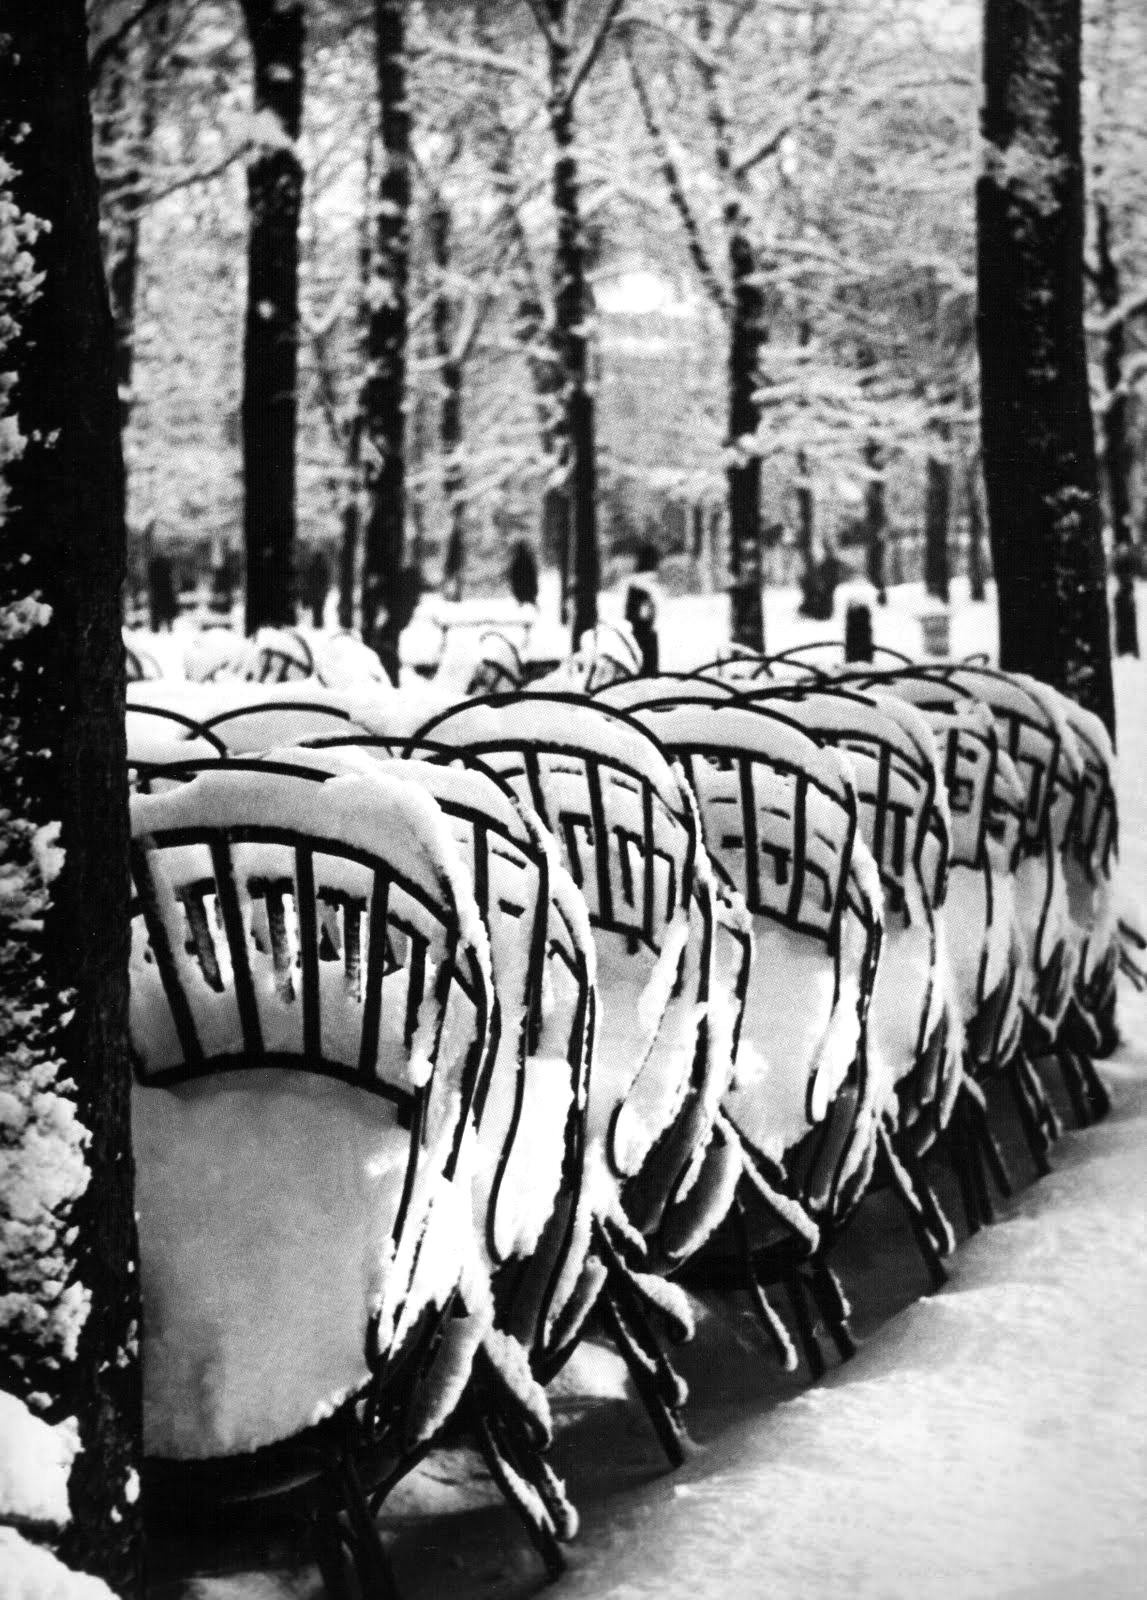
(271, 351)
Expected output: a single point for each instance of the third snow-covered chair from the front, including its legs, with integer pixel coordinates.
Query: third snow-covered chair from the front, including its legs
(660, 1175)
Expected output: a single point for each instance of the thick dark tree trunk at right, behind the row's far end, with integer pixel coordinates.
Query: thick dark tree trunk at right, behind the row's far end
(1039, 444)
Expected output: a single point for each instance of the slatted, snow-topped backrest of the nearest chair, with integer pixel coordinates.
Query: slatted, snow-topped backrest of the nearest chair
(279, 919)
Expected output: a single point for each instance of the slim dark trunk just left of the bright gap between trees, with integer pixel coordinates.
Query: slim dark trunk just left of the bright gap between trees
(570, 314)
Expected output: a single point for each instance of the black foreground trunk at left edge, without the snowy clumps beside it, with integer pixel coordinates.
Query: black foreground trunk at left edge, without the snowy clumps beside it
(63, 705)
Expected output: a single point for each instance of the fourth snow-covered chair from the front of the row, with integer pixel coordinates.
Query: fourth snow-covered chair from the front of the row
(780, 822)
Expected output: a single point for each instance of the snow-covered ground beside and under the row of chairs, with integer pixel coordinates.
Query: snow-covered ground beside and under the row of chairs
(988, 1441)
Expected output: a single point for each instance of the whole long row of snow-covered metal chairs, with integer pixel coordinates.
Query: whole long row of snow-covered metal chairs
(641, 988)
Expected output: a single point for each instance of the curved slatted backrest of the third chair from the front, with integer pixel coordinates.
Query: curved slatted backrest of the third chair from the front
(604, 788)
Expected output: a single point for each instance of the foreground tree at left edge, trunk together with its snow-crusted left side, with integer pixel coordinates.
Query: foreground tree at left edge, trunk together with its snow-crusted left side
(70, 1289)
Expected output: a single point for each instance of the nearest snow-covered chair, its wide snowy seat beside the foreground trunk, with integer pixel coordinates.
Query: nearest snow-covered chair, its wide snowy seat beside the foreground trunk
(313, 1028)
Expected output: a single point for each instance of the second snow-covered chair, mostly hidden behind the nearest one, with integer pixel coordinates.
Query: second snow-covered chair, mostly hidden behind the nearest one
(530, 1124)
